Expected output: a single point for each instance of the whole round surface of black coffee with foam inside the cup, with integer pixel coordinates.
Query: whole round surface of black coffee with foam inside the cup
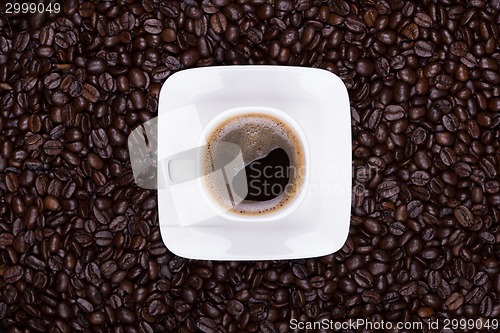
(273, 164)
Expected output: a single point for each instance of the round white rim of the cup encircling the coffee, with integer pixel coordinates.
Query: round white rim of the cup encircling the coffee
(270, 216)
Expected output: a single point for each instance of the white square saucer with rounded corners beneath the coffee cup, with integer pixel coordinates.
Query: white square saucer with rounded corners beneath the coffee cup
(317, 100)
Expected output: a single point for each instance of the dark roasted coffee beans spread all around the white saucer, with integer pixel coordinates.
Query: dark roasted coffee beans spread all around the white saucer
(80, 248)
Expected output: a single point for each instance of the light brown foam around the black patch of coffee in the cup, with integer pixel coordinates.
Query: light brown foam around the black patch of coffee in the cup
(257, 134)
